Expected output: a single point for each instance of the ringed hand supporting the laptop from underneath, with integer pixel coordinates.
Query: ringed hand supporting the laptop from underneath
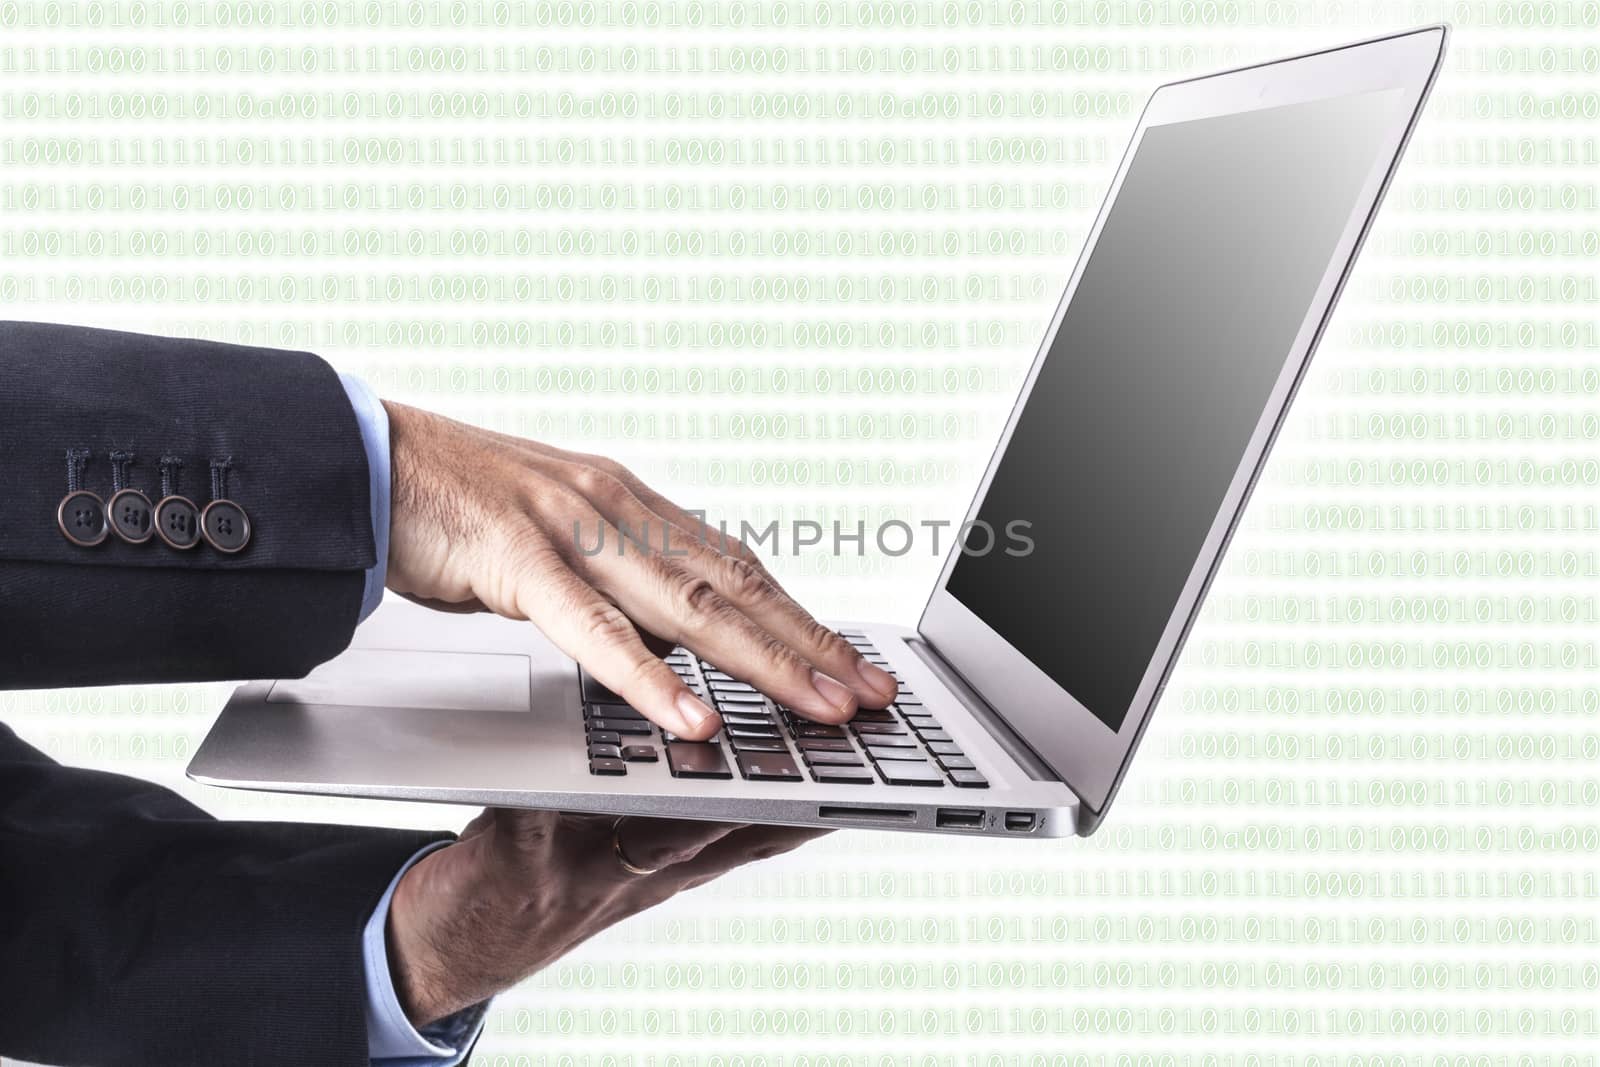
(522, 889)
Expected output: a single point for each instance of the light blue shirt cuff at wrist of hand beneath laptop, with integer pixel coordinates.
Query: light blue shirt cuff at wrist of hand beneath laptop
(391, 1039)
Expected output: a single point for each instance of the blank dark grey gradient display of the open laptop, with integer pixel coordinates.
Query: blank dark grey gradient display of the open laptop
(1159, 375)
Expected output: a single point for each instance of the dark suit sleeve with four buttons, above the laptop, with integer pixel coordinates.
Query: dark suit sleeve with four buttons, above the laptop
(278, 423)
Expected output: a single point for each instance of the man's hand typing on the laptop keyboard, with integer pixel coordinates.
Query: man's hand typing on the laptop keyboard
(606, 569)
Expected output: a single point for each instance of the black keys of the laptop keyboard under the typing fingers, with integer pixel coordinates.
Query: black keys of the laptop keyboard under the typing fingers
(767, 743)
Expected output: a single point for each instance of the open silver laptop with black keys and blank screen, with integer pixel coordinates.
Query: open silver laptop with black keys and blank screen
(1190, 319)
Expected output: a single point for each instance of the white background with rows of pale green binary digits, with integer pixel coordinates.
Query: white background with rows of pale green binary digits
(791, 262)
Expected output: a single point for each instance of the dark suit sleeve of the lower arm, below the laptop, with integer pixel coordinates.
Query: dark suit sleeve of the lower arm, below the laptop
(135, 930)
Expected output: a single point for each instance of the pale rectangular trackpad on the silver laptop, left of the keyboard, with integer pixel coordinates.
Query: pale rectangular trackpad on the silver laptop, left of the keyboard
(378, 677)
